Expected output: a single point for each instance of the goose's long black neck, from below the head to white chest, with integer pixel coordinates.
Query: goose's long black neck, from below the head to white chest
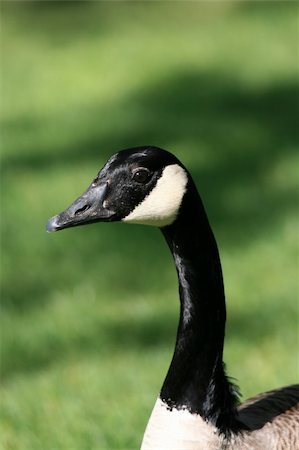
(196, 378)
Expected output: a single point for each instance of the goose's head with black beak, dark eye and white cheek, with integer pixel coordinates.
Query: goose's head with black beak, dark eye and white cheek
(144, 185)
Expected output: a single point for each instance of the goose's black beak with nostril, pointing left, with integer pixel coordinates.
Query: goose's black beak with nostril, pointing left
(86, 209)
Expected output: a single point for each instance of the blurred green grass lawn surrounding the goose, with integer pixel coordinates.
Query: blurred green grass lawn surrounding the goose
(89, 315)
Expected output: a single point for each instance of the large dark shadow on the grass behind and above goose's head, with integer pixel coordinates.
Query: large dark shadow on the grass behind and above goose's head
(244, 129)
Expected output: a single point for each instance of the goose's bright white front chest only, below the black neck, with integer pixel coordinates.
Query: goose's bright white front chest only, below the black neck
(178, 430)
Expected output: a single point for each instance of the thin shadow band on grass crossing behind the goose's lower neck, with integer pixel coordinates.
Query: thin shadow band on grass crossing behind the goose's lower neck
(126, 335)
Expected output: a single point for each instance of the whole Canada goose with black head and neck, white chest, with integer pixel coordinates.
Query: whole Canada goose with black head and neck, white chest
(197, 406)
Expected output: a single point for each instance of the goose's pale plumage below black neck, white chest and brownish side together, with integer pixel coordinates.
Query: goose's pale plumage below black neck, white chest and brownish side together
(180, 430)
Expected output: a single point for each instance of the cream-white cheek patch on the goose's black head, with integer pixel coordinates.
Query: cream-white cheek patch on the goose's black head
(161, 206)
